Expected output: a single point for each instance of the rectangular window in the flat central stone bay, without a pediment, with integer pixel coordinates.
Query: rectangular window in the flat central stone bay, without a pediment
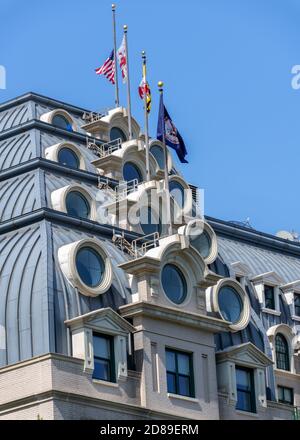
(180, 373)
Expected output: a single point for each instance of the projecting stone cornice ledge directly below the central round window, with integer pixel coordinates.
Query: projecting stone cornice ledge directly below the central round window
(178, 316)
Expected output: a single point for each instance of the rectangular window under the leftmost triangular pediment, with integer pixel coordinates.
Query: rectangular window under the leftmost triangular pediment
(103, 358)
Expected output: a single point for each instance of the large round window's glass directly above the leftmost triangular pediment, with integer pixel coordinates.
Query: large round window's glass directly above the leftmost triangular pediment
(90, 266)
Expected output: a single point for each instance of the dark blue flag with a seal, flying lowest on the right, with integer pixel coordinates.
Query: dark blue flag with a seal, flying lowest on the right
(166, 131)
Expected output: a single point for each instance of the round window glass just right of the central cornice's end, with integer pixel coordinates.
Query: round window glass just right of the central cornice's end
(230, 304)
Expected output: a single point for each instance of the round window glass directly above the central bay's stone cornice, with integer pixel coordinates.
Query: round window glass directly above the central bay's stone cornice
(174, 283)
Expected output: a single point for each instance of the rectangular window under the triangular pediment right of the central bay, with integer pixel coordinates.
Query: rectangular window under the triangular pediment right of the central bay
(245, 390)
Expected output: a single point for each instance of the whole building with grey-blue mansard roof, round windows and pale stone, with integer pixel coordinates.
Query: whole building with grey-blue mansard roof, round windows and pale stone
(106, 317)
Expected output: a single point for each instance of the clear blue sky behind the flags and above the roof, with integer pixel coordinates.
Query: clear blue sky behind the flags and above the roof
(227, 72)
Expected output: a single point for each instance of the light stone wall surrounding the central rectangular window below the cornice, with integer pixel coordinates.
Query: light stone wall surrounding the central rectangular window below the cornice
(152, 343)
